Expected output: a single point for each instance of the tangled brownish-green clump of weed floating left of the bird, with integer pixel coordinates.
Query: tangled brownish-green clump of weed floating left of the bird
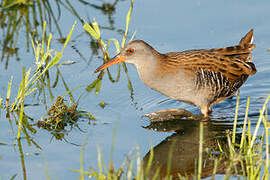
(60, 115)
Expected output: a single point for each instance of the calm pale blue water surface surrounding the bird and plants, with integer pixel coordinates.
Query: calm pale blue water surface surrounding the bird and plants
(173, 26)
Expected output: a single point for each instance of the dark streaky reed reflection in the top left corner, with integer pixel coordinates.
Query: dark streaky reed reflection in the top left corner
(28, 15)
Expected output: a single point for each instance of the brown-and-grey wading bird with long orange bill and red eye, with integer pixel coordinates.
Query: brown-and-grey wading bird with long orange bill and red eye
(200, 77)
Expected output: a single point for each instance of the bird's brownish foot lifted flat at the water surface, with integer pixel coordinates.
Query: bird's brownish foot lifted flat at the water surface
(172, 114)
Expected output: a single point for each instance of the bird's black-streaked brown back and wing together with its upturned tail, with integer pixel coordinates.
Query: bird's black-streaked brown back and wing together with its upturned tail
(232, 62)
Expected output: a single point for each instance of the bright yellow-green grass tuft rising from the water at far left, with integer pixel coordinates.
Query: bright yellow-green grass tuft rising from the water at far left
(44, 61)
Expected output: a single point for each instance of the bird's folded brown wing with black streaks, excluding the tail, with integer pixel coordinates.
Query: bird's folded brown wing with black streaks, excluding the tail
(196, 60)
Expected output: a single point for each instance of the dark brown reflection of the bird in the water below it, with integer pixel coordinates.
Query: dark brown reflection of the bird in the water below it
(185, 152)
